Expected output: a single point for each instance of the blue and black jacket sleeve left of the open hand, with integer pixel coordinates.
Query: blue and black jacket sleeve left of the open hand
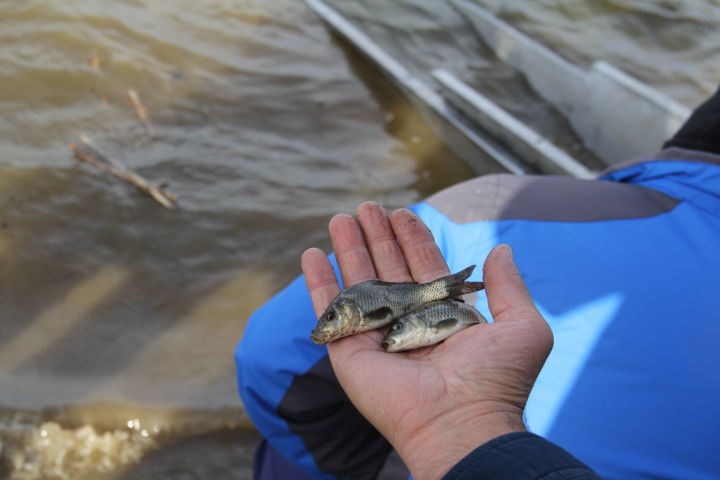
(291, 394)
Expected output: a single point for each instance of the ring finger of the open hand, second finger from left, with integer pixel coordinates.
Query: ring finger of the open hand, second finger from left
(350, 250)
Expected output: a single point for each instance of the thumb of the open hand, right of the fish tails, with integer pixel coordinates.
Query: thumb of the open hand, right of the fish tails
(508, 296)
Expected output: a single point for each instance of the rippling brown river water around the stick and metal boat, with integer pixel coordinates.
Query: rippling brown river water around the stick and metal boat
(118, 317)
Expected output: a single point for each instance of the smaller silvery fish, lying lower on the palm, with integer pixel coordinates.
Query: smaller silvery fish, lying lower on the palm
(431, 324)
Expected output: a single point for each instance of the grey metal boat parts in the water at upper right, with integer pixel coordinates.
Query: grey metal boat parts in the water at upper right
(617, 116)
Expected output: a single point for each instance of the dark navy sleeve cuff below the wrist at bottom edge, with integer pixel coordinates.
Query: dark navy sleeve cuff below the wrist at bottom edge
(519, 456)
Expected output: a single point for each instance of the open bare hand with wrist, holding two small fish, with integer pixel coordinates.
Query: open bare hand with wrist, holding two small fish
(437, 404)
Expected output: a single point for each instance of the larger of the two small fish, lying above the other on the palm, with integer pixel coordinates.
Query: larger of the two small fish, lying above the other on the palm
(374, 304)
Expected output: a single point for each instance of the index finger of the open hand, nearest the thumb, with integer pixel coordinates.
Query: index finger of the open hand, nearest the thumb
(422, 254)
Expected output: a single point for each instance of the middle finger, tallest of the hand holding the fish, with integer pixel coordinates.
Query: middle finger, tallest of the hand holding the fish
(386, 255)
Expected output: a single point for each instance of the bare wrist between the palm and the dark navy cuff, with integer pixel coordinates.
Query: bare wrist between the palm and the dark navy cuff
(430, 452)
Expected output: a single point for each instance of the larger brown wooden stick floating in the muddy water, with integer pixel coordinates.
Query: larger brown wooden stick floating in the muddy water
(89, 153)
